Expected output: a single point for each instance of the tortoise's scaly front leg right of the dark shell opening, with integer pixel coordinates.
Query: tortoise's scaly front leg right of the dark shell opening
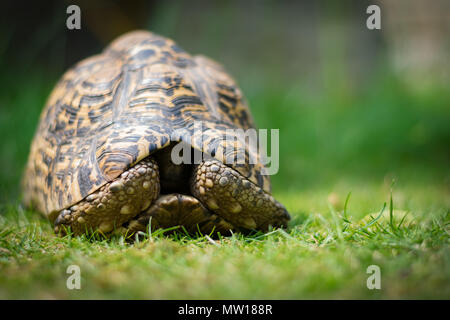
(236, 199)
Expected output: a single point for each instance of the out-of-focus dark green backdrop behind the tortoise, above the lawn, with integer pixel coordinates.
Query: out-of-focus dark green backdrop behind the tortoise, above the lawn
(352, 104)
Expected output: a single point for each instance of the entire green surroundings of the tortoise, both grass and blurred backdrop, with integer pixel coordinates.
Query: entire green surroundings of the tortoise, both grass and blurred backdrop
(357, 109)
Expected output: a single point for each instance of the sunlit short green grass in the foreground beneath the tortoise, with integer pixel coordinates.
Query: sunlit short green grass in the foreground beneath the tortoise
(324, 254)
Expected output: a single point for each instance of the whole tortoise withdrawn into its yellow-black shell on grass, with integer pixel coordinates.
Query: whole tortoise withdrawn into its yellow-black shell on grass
(102, 156)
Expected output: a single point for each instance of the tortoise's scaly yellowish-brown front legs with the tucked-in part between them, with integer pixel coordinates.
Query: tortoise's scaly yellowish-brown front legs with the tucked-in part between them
(222, 201)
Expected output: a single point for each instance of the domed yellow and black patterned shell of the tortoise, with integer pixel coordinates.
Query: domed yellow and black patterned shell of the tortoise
(114, 109)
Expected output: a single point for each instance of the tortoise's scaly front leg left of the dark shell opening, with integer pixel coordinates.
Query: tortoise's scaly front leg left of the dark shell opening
(114, 203)
